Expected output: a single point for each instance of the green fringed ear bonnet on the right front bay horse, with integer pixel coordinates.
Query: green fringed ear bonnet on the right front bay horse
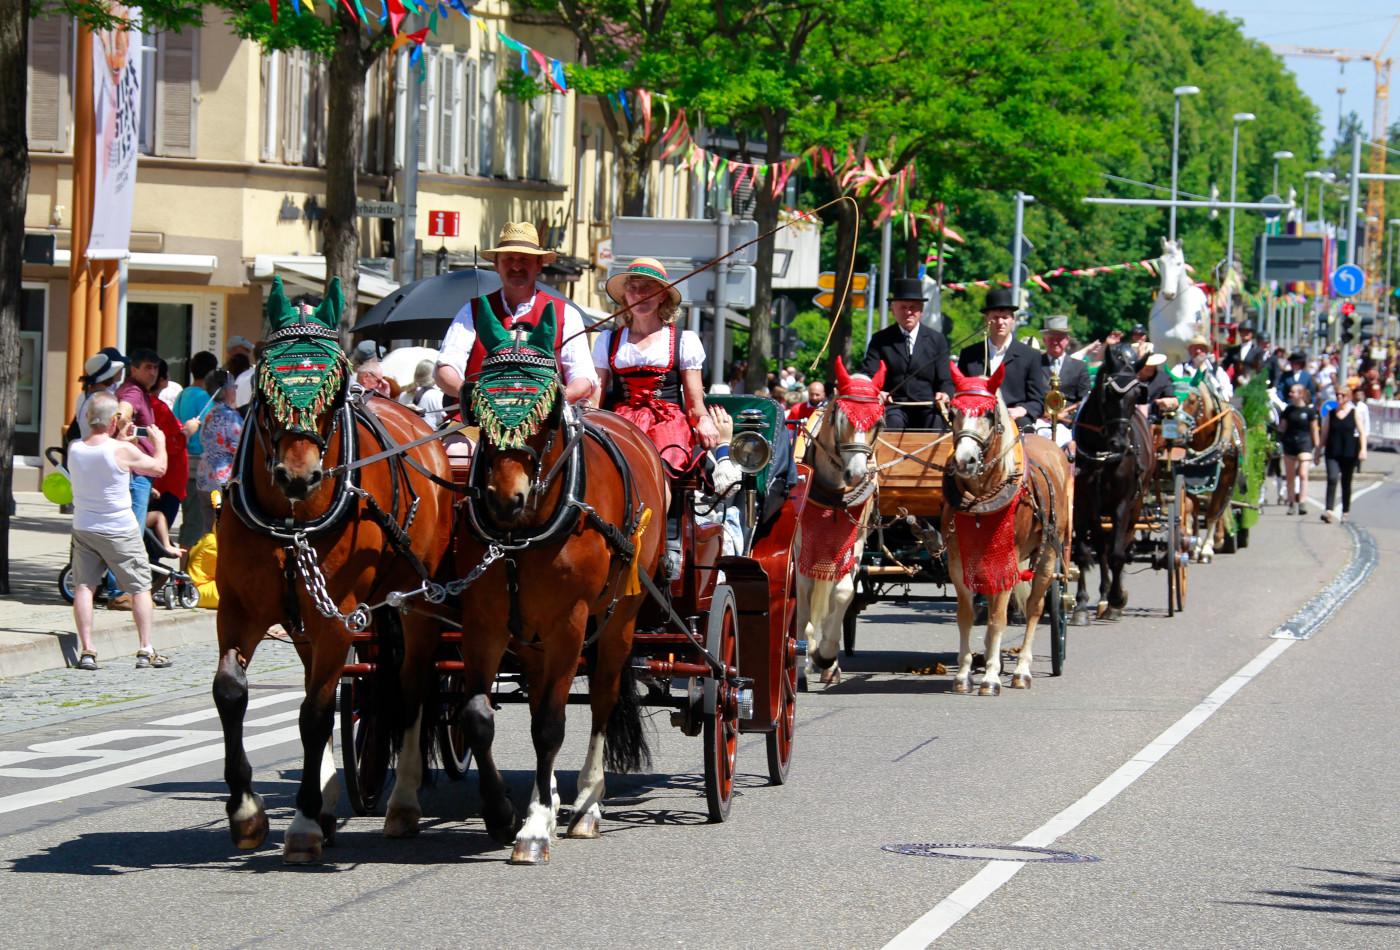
(520, 377)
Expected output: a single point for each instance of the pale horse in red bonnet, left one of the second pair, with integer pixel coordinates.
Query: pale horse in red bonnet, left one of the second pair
(831, 535)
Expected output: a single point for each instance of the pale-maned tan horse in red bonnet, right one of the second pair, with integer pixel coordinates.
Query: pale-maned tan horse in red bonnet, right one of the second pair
(1006, 518)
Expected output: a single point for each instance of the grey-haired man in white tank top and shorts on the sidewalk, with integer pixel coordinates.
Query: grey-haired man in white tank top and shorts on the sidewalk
(106, 535)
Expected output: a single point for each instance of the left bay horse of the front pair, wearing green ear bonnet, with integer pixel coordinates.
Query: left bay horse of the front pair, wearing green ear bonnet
(307, 544)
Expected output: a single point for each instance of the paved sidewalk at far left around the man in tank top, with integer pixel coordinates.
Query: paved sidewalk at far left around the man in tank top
(37, 630)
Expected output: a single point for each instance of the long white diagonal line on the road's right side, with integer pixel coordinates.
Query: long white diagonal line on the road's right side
(990, 879)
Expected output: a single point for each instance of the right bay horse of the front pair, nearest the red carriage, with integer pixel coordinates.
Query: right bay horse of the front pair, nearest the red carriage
(573, 510)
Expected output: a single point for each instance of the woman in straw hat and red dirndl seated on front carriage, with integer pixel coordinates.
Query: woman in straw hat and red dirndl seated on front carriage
(652, 370)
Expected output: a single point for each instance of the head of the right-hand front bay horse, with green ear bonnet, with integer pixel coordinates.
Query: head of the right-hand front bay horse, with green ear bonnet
(519, 401)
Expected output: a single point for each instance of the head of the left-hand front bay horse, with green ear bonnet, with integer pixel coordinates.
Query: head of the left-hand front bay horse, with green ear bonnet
(300, 387)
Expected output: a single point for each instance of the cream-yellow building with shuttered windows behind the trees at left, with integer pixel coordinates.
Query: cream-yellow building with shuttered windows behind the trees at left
(230, 184)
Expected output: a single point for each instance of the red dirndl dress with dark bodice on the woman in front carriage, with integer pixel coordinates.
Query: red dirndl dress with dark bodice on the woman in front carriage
(652, 399)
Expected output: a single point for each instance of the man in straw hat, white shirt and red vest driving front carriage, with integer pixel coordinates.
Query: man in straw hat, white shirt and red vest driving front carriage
(519, 260)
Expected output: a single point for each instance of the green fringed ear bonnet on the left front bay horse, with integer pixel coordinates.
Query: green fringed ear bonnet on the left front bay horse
(303, 370)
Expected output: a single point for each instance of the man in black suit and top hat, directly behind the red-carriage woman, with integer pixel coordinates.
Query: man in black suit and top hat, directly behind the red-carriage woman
(916, 360)
